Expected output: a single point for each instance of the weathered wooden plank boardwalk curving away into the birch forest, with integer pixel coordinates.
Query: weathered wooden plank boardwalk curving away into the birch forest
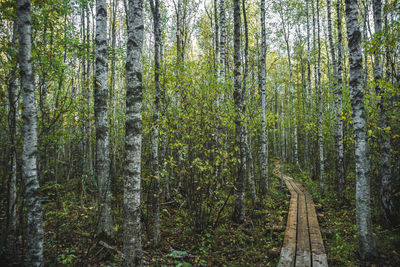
(302, 244)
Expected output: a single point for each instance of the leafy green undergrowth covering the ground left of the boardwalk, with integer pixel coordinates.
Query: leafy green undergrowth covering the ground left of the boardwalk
(70, 232)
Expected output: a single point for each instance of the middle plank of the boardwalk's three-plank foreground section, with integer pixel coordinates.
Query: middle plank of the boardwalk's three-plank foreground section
(303, 254)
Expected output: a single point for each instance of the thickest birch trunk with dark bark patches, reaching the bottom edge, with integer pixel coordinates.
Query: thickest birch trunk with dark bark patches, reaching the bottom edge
(133, 135)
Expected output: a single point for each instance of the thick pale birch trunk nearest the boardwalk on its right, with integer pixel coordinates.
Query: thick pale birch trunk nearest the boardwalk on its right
(367, 246)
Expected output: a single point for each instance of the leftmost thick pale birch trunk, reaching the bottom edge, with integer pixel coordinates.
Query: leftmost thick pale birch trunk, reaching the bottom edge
(33, 200)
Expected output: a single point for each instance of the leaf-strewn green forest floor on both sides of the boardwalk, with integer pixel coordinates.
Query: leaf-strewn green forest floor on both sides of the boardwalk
(70, 238)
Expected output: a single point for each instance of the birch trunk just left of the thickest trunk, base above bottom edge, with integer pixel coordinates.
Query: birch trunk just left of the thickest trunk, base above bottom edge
(102, 163)
